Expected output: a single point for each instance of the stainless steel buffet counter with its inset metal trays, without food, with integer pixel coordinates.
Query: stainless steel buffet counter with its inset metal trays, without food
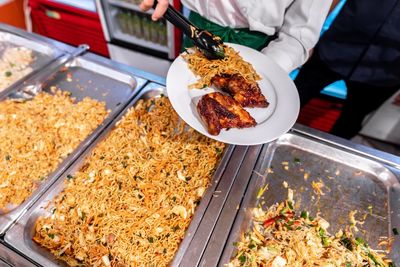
(353, 177)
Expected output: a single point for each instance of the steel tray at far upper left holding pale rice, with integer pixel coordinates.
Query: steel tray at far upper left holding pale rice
(44, 51)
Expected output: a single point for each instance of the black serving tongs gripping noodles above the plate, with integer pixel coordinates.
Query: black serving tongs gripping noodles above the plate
(211, 45)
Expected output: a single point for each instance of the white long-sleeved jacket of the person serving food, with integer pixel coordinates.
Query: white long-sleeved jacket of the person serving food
(297, 22)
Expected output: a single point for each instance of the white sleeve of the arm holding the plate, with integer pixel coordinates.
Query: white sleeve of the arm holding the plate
(299, 33)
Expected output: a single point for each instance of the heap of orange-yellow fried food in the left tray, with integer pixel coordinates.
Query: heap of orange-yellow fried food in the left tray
(36, 135)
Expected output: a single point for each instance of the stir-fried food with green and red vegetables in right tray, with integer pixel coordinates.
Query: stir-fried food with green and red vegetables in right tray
(280, 237)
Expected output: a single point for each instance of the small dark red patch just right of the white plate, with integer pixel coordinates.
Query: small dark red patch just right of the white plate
(320, 114)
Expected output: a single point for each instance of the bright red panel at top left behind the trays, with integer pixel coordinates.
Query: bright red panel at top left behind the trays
(68, 24)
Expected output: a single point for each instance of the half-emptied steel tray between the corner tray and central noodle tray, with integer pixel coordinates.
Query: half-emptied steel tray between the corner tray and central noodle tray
(85, 76)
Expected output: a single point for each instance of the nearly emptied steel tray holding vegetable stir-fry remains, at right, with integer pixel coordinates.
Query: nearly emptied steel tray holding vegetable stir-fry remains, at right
(351, 182)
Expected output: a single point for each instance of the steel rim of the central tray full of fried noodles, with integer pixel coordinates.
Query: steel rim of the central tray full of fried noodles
(19, 236)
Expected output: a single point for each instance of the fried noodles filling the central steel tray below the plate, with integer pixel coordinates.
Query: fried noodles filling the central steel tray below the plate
(134, 196)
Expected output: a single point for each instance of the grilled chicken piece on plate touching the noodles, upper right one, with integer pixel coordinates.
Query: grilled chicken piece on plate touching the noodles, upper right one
(246, 93)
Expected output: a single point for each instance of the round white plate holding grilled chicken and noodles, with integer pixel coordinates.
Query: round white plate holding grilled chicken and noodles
(272, 121)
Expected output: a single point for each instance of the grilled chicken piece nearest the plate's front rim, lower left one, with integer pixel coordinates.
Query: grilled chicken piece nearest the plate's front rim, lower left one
(219, 111)
